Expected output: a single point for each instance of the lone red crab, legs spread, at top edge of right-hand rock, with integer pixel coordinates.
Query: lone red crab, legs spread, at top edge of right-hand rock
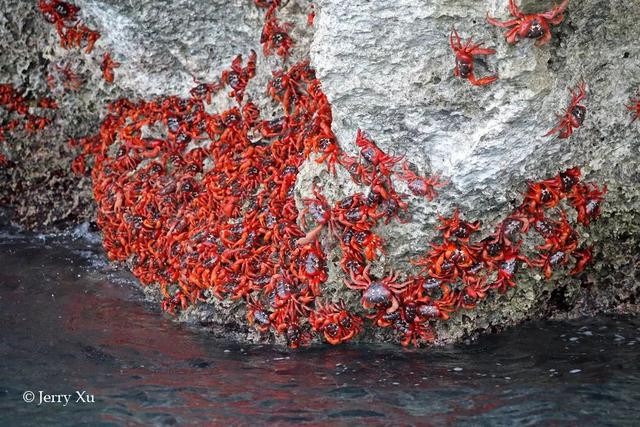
(535, 26)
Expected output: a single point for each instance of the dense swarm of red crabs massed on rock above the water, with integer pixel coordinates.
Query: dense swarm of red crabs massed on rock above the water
(204, 206)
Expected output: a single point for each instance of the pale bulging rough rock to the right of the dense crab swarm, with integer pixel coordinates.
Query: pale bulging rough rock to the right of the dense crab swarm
(387, 68)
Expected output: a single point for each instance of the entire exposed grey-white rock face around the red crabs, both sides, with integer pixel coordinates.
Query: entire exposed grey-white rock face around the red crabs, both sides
(387, 69)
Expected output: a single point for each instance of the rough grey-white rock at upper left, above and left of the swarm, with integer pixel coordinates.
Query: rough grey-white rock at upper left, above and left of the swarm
(162, 46)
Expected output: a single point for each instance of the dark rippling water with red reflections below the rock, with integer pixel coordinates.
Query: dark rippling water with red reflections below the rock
(70, 323)
